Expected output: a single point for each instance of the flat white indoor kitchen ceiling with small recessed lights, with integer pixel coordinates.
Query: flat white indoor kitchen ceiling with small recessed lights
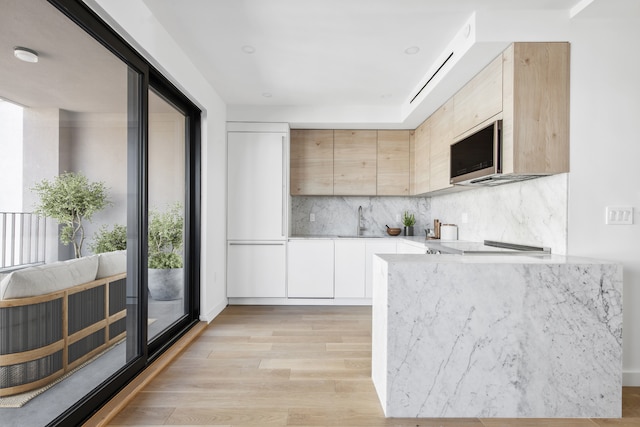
(328, 53)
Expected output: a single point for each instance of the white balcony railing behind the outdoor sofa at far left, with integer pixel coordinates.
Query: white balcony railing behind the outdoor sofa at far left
(22, 240)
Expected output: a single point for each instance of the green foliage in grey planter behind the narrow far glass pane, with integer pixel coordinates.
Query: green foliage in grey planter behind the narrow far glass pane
(166, 231)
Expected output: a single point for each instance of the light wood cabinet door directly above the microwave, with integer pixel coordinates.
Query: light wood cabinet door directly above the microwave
(480, 99)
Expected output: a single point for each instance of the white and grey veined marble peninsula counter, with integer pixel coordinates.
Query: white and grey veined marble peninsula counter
(497, 336)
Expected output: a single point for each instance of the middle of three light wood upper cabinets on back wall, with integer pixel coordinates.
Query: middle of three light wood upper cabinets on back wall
(354, 162)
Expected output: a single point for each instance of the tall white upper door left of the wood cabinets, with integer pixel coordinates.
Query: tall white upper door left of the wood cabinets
(256, 186)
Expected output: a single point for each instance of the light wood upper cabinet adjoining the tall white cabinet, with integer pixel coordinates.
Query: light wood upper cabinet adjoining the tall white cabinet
(311, 162)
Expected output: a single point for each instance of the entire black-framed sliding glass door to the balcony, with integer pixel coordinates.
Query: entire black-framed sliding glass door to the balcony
(87, 125)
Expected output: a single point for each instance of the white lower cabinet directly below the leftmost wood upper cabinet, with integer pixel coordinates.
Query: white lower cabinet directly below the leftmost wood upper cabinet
(310, 268)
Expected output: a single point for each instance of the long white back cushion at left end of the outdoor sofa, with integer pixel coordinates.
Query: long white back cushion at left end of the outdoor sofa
(47, 278)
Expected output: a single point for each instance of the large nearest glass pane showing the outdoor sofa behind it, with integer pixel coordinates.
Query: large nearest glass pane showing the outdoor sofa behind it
(69, 127)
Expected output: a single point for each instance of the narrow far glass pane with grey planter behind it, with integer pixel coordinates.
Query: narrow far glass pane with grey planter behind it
(166, 214)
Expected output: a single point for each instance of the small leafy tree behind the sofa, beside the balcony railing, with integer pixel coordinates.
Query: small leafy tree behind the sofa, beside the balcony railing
(70, 199)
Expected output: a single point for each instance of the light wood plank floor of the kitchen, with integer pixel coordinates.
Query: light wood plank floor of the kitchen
(292, 366)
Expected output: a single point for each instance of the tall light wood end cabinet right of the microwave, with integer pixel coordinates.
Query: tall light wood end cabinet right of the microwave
(536, 108)
